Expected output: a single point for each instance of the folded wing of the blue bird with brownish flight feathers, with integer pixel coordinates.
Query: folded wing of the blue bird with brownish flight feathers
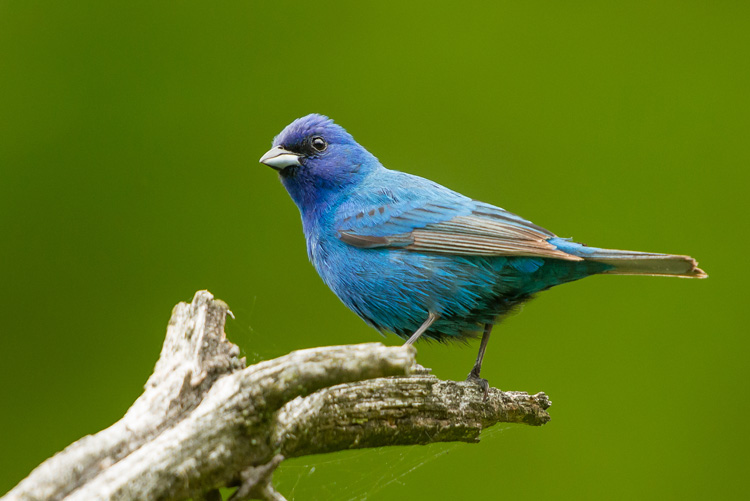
(468, 228)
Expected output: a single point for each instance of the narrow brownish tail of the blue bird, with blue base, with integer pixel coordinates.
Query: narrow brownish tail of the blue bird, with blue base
(632, 262)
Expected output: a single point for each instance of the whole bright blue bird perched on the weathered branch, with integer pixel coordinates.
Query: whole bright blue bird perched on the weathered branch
(415, 258)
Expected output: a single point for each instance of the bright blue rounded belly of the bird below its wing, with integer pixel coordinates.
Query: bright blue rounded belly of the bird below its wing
(395, 290)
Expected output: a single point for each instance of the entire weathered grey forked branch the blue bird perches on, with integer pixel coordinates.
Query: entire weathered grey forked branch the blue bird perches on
(206, 421)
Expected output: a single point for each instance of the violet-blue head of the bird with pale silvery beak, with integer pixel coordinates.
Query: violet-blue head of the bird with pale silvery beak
(317, 159)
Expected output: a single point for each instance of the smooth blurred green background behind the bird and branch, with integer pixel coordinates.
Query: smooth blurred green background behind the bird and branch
(129, 139)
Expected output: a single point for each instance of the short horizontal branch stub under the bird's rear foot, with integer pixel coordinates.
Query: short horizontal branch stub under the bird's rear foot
(398, 411)
